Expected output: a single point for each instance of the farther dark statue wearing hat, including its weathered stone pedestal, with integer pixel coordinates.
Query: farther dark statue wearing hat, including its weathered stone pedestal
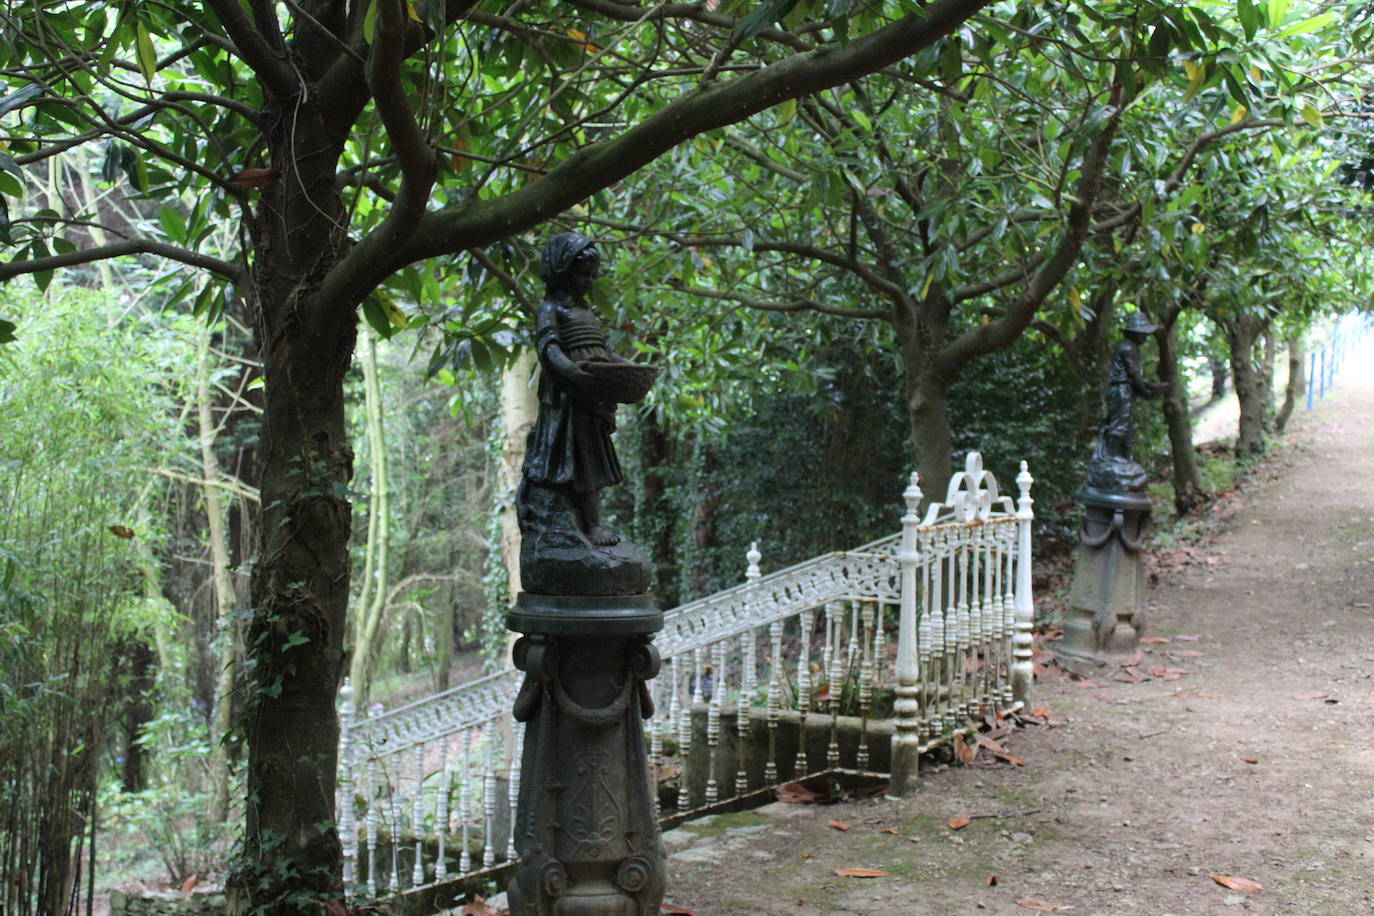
(1107, 601)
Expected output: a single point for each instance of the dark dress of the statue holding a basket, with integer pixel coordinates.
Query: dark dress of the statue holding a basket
(571, 442)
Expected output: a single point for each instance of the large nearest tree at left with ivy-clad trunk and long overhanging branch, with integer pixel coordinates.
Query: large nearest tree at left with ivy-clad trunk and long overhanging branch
(361, 149)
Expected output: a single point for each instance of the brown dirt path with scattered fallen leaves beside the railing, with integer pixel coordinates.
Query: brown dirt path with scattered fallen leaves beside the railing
(1257, 763)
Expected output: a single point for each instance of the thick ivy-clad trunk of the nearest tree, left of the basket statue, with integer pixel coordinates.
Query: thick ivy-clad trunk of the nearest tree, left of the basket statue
(292, 852)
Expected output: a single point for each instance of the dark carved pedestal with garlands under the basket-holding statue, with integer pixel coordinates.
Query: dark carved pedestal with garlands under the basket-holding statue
(586, 829)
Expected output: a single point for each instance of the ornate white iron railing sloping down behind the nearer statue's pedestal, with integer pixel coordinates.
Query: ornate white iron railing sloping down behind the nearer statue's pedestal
(782, 678)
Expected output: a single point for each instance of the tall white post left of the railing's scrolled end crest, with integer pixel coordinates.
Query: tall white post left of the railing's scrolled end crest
(906, 742)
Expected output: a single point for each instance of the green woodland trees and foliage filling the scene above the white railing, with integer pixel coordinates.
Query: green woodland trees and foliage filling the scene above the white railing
(271, 270)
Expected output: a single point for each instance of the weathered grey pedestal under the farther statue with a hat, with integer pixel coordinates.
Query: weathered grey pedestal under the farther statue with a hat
(1107, 601)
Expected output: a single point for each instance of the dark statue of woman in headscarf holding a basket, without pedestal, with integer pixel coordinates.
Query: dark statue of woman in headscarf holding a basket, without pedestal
(570, 457)
